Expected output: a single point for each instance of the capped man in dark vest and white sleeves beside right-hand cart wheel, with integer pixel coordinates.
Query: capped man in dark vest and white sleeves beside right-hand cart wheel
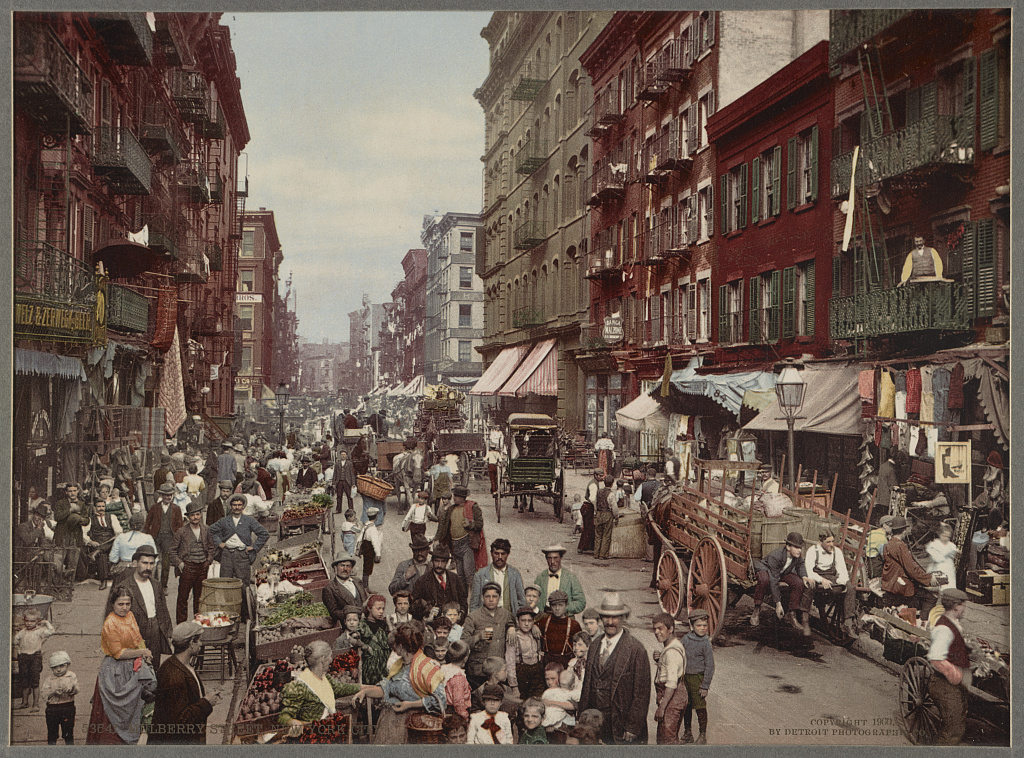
(951, 658)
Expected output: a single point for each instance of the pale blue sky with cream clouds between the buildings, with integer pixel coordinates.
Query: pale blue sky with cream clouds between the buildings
(361, 124)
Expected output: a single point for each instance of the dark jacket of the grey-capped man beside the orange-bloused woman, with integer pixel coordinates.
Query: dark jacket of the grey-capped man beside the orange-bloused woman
(182, 710)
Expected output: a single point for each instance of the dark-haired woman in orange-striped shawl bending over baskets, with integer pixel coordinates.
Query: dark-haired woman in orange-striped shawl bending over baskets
(414, 684)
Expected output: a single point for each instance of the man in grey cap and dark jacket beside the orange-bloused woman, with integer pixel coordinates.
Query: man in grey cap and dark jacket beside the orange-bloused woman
(183, 706)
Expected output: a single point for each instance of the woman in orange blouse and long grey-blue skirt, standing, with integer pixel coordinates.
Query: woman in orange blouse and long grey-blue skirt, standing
(126, 678)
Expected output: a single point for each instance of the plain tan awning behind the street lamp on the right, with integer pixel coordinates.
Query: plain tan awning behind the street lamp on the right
(832, 404)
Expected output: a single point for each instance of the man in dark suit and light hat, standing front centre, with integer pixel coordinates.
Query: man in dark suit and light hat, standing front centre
(617, 682)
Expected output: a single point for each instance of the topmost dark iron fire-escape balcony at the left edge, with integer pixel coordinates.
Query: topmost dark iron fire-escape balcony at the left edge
(49, 85)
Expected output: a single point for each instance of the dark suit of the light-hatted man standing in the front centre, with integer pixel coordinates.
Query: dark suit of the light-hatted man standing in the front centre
(620, 690)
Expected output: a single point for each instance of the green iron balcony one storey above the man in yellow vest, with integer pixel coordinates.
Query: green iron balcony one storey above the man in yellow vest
(920, 151)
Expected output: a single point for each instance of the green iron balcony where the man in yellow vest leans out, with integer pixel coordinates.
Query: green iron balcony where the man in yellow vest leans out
(915, 308)
